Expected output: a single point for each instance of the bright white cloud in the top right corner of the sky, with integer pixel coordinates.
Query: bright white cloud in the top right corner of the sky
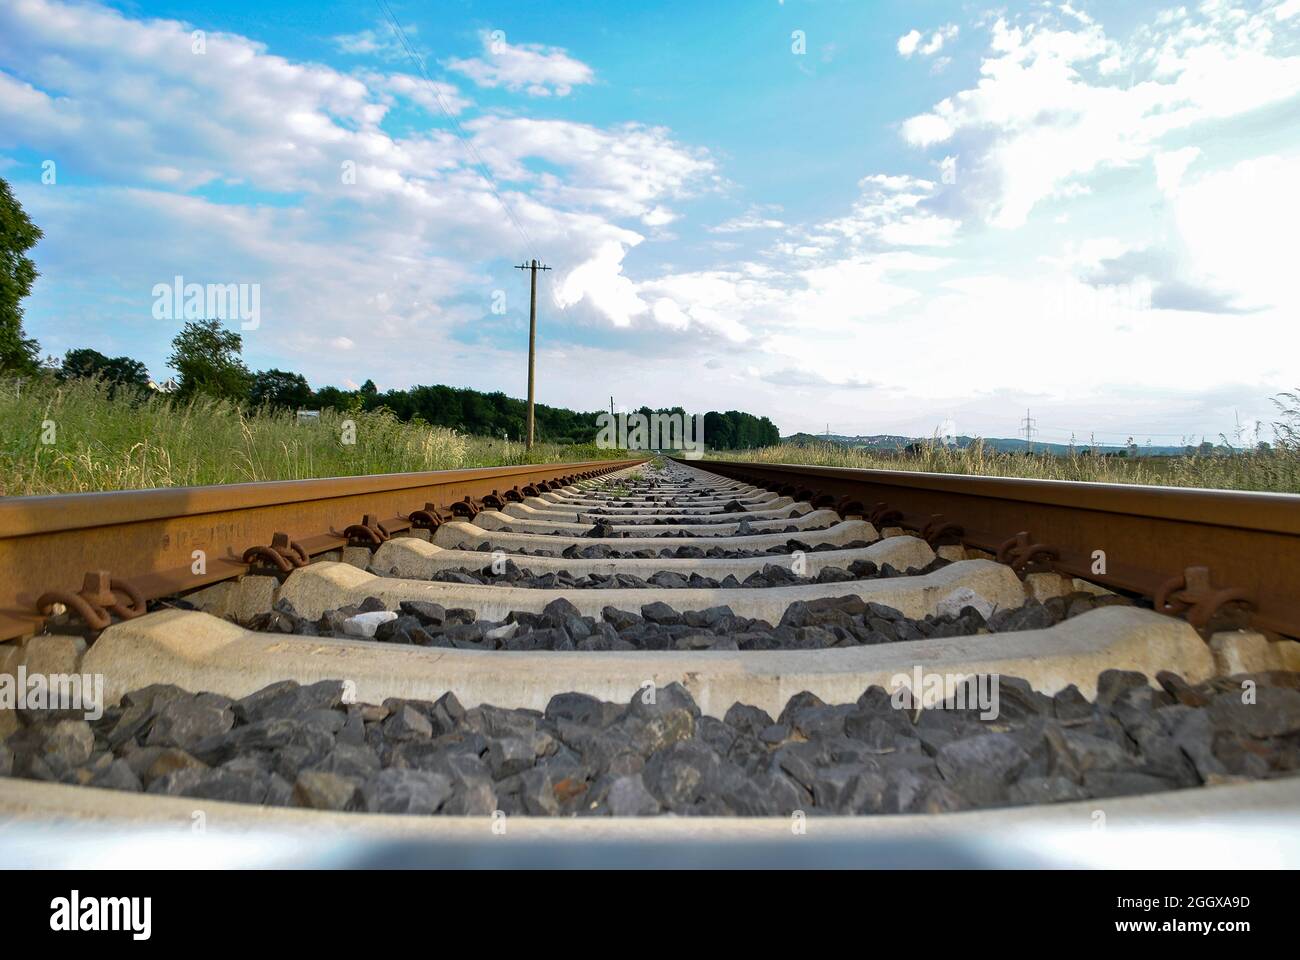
(1045, 116)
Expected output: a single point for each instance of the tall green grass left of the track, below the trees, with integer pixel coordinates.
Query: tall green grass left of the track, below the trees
(114, 443)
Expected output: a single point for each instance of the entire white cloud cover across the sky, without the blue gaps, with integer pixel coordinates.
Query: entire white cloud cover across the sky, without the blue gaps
(411, 253)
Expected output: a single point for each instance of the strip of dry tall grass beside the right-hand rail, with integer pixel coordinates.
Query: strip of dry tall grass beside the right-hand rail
(1276, 470)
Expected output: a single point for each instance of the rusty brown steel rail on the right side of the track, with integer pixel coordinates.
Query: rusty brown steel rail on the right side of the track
(1189, 551)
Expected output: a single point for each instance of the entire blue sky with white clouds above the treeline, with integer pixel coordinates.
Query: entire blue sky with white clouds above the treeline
(886, 218)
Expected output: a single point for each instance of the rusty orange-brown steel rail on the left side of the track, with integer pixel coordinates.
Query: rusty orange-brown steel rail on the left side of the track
(111, 552)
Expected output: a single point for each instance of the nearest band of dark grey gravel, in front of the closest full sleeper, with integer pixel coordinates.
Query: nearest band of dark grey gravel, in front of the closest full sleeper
(304, 746)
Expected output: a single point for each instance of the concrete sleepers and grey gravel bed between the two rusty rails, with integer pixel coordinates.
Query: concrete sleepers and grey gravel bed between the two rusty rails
(419, 680)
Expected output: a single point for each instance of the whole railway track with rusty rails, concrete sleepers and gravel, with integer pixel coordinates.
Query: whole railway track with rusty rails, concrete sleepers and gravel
(634, 639)
